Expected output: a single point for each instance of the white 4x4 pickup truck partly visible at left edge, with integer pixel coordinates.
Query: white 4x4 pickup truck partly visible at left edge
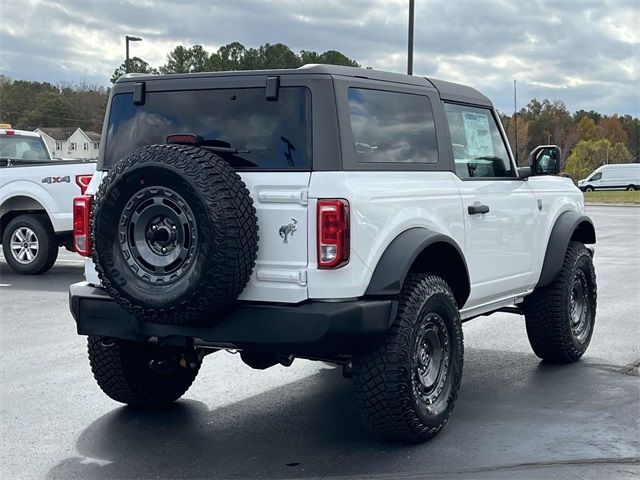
(36, 198)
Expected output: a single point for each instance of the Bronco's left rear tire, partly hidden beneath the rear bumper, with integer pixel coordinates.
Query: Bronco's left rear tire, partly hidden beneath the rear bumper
(142, 374)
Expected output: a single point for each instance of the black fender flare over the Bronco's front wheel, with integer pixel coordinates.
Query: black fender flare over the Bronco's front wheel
(569, 225)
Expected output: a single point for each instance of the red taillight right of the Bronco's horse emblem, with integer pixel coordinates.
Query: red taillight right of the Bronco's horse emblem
(333, 233)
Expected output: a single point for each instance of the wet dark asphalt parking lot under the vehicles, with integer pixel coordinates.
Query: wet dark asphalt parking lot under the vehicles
(515, 418)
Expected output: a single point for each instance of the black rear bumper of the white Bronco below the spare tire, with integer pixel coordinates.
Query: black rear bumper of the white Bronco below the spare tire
(312, 329)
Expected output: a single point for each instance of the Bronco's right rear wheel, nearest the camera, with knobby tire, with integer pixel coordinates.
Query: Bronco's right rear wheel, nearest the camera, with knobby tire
(407, 385)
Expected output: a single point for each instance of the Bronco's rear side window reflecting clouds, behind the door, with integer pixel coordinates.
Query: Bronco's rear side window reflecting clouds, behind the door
(392, 127)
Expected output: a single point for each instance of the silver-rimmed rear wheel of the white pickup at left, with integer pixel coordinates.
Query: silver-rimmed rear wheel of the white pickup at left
(29, 244)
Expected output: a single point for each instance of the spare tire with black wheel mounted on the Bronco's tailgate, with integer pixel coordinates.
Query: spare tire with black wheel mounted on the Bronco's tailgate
(174, 234)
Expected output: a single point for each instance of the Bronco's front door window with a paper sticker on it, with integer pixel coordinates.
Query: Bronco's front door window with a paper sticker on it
(478, 148)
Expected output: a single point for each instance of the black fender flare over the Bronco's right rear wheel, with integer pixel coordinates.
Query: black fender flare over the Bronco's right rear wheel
(396, 261)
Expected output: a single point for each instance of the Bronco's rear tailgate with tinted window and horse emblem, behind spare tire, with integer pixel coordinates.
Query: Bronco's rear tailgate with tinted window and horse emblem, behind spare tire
(269, 143)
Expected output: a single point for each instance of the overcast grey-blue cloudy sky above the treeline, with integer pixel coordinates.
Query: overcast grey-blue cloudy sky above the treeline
(582, 52)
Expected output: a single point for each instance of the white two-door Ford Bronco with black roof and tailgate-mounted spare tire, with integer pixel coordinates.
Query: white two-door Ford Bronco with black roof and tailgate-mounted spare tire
(329, 213)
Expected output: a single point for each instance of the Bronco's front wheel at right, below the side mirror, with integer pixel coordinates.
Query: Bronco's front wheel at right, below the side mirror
(560, 316)
